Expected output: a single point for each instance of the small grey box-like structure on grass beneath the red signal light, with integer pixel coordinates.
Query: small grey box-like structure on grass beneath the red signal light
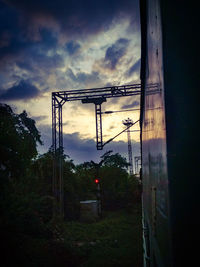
(88, 210)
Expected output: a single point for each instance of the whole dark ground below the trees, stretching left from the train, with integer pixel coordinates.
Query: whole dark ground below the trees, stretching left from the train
(115, 240)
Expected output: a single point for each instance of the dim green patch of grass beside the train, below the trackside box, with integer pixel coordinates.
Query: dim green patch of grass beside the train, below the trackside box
(116, 240)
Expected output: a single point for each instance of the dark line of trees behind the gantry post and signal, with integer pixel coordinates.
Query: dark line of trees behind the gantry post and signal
(26, 198)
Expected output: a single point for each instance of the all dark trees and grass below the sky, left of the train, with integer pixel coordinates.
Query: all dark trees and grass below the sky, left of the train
(31, 236)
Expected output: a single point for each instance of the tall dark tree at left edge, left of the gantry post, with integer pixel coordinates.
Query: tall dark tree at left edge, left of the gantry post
(22, 203)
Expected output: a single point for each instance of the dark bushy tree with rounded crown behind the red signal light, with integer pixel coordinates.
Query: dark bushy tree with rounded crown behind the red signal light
(112, 174)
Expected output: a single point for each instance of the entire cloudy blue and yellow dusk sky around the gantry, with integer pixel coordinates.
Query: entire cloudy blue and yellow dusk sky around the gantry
(48, 46)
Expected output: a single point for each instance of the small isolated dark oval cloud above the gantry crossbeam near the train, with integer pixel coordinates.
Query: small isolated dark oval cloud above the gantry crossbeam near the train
(115, 52)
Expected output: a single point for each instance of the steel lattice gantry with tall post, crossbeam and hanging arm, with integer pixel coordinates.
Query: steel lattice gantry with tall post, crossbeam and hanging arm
(96, 96)
